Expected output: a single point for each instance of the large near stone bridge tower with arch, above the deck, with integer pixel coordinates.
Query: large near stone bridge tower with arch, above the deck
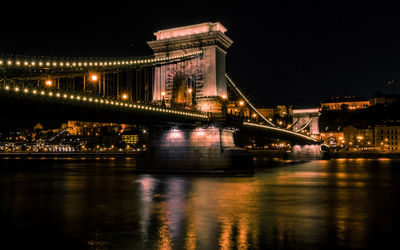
(199, 82)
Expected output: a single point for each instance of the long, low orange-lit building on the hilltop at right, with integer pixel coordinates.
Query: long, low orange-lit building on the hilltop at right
(347, 102)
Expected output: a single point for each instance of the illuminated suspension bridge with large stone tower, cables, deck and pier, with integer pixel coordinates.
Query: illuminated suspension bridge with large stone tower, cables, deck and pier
(182, 94)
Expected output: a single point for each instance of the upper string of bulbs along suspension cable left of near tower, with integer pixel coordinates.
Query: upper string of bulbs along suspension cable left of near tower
(28, 62)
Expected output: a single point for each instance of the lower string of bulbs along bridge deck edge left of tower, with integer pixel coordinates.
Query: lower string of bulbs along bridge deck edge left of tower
(103, 101)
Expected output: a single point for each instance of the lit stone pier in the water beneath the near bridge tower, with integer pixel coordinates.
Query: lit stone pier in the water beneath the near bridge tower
(194, 150)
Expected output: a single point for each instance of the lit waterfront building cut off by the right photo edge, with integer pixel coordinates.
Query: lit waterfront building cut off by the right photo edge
(387, 137)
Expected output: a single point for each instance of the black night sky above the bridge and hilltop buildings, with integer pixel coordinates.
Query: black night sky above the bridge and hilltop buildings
(284, 52)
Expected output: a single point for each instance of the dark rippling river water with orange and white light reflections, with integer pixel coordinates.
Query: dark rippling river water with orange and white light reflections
(102, 204)
